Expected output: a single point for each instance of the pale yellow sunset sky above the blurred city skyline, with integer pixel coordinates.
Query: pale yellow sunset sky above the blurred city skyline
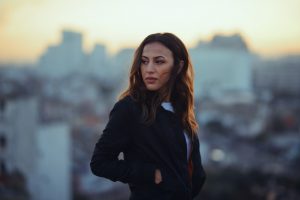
(28, 27)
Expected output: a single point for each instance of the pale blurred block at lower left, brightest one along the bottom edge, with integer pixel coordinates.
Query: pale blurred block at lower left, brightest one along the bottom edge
(53, 170)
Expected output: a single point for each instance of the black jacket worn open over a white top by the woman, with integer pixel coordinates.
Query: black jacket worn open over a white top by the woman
(146, 148)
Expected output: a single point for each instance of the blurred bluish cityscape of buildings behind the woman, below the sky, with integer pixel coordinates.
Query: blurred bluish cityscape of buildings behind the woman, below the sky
(52, 113)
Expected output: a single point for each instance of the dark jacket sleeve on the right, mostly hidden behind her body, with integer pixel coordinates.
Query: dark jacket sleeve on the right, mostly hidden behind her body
(199, 175)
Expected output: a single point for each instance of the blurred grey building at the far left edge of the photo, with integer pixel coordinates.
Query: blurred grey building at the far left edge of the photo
(18, 124)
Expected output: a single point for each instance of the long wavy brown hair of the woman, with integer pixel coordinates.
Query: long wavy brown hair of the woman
(179, 87)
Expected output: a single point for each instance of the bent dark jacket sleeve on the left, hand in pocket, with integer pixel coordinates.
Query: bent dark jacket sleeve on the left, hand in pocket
(115, 138)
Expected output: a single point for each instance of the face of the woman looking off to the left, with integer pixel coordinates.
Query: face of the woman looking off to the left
(157, 64)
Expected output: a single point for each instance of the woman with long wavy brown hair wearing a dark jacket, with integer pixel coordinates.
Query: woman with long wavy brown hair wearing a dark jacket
(154, 125)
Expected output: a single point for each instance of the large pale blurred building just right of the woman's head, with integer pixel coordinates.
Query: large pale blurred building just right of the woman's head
(223, 69)
